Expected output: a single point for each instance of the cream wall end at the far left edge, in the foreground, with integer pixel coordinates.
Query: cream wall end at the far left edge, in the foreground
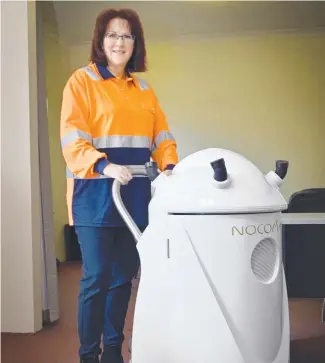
(21, 268)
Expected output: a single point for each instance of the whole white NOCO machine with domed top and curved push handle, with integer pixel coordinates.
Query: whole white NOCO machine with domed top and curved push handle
(212, 285)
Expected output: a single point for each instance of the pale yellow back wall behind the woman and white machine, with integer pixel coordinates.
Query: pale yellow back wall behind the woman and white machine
(259, 95)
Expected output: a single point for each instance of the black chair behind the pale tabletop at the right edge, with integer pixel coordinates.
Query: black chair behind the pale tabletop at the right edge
(304, 247)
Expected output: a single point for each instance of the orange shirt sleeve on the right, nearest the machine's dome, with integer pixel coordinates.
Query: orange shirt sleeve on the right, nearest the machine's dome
(164, 147)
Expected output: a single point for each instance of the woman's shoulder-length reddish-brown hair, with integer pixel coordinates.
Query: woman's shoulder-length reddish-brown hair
(137, 62)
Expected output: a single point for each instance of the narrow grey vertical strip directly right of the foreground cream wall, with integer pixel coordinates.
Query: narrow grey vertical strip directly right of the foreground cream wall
(50, 279)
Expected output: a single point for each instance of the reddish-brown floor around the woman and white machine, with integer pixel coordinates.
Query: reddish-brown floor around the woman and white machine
(59, 343)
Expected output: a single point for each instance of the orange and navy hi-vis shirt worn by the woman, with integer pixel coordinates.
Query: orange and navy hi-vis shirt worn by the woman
(105, 119)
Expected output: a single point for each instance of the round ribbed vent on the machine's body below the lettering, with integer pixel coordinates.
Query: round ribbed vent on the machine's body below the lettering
(264, 260)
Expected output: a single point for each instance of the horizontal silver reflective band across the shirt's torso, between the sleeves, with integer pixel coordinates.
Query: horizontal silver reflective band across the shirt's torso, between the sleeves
(122, 141)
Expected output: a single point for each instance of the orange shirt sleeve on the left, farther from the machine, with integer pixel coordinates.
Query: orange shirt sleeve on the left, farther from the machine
(81, 157)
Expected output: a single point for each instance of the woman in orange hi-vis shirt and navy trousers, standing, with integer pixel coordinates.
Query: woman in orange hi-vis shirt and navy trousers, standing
(110, 119)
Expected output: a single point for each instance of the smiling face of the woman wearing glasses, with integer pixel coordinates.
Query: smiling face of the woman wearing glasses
(118, 43)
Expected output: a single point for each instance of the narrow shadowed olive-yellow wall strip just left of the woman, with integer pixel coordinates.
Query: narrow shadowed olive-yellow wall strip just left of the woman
(56, 73)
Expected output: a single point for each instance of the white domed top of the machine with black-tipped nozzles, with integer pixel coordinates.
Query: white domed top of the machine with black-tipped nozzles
(221, 181)
